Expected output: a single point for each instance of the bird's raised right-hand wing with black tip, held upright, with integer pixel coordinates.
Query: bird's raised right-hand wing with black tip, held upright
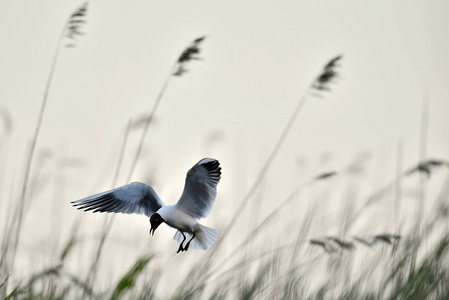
(200, 189)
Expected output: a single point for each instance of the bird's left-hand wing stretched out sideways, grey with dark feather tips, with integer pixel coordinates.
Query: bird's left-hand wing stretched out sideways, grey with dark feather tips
(133, 198)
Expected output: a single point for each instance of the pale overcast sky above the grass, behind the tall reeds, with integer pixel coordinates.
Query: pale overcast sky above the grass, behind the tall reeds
(257, 61)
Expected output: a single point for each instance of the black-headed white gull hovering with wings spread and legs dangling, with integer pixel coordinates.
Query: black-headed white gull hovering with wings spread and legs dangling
(197, 199)
